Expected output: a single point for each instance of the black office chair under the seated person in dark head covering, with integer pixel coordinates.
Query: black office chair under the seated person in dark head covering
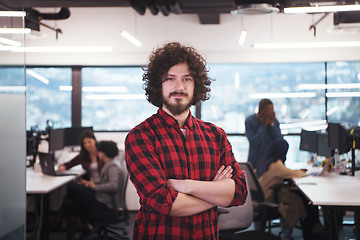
(264, 212)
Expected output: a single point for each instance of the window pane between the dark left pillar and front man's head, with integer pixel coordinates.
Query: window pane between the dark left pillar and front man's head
(114, 98)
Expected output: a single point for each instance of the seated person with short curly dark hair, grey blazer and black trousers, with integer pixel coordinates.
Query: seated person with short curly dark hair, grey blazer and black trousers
(92, 198)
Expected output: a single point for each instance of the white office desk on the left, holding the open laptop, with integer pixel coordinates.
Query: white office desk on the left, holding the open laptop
(37, 183)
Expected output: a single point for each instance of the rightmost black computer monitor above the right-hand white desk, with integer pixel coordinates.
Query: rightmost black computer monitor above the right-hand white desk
(338, 137)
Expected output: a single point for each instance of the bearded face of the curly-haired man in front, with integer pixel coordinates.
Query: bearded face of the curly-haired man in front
(178, 89)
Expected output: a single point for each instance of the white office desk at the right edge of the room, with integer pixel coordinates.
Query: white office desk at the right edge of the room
(333, 191)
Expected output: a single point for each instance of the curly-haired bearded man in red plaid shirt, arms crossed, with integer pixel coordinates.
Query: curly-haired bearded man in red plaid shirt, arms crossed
(181, 167)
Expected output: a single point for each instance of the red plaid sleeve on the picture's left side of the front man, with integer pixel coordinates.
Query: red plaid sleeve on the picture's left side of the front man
(146, 173)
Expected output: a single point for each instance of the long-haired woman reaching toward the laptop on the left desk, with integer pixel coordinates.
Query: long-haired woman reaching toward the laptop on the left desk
(88, 155)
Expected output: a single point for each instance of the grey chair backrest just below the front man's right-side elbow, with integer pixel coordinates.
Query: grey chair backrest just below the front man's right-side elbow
(237, 217)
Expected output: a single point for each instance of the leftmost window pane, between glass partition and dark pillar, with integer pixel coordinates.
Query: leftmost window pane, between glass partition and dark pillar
(48, 97)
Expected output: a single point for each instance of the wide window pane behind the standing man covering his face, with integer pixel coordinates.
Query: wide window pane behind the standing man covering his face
(239, 87)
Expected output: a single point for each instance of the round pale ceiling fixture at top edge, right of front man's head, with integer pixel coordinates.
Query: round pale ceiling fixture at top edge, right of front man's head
(251, 8)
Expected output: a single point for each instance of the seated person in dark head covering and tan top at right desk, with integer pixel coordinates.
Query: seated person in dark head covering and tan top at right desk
(293, 206)
